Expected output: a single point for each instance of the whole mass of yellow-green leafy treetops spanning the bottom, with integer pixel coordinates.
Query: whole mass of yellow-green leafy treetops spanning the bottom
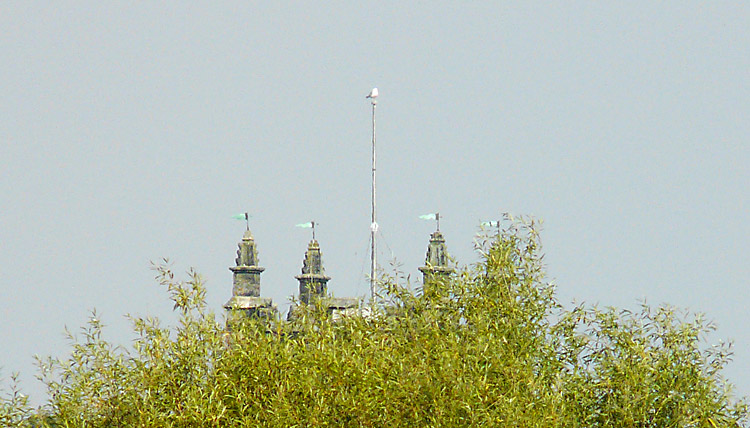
(489, 346)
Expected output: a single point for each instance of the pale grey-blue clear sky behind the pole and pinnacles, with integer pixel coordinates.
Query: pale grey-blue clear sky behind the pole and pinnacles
(133, 131)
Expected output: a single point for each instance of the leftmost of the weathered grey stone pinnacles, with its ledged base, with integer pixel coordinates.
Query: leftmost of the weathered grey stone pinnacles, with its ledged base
(246, 285)
